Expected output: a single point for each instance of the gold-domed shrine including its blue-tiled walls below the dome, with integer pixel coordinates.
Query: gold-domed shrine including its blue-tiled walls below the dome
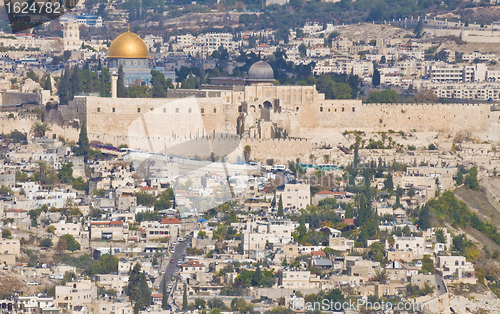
(131, 52)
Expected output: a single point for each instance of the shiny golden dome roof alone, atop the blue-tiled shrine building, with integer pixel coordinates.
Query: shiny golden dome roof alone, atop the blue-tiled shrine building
(128, 46)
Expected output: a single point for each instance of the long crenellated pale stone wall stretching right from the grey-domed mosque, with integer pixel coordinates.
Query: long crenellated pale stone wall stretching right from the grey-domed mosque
(448, 119)
